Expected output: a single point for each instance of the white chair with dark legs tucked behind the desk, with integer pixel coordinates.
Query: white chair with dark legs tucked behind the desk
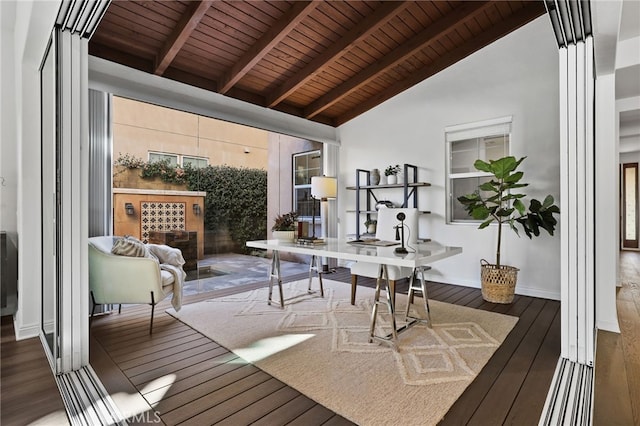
(385, 230)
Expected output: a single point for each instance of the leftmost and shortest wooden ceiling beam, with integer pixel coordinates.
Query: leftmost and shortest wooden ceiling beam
(187, 24)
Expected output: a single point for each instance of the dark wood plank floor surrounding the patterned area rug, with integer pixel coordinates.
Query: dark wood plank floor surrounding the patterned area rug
(211, 385)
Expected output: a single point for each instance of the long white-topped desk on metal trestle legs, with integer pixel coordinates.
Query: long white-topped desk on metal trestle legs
(425, 254)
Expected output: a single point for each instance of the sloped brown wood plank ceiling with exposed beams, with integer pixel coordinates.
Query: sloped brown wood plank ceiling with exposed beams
(327, 61)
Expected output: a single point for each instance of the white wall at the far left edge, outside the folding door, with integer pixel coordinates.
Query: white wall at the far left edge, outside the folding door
(33, 25)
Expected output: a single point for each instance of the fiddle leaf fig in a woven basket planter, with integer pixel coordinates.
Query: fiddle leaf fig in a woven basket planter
(499, 201)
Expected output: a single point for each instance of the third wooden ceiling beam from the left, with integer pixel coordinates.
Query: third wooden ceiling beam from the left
(368, 26)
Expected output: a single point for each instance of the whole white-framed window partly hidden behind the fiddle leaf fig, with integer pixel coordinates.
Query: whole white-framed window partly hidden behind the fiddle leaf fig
(466, 143)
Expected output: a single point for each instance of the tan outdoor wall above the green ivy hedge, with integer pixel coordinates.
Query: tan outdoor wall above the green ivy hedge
(140, 127)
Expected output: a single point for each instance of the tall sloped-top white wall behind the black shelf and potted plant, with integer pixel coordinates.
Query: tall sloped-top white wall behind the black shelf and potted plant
(518, 76)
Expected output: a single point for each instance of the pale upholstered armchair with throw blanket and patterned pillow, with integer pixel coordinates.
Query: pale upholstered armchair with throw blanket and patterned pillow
(116, 279)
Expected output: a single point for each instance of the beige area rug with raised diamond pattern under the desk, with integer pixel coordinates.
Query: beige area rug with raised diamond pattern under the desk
(319, 346)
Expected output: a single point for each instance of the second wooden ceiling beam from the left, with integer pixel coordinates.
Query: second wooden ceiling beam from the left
(268, 41)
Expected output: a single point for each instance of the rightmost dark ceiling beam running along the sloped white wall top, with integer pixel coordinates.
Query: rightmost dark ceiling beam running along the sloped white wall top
(519, 18)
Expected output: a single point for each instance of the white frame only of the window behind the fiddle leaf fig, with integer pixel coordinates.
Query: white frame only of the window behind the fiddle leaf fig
(502, 126)
